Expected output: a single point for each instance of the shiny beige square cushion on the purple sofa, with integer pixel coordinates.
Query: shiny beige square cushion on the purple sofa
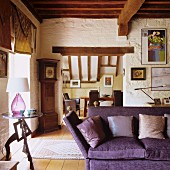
(151, 126)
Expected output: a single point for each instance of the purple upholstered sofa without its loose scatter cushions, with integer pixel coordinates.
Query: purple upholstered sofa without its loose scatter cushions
(122, 153)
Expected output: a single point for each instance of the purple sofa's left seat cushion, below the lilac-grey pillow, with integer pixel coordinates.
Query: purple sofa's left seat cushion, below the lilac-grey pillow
(118, 148)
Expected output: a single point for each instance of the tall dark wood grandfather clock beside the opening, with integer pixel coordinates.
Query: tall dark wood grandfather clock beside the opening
(48, 77)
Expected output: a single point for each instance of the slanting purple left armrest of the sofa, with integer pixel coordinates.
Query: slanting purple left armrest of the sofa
(72, 120)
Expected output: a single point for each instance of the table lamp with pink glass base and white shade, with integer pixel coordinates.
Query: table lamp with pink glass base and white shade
(17, 85)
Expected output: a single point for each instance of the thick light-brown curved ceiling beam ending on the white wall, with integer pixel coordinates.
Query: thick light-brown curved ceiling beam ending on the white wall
(130, 9)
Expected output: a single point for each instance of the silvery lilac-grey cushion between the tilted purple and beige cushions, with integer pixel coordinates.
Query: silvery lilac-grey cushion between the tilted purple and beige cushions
(121, 125)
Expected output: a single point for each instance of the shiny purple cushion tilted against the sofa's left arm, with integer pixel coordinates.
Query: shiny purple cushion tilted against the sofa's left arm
(92, 130)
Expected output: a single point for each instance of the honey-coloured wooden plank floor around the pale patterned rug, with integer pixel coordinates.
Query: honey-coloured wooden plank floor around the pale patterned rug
(46, 164)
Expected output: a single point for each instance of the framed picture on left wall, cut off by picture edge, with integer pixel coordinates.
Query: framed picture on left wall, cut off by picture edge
(3, 63)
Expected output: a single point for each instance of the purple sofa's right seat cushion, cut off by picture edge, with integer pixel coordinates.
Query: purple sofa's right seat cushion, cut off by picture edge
(157, 149)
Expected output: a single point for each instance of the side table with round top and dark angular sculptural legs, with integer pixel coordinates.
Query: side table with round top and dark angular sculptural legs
(21, 123)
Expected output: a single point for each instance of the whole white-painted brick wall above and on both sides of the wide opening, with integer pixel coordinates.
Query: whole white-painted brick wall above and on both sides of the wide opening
(104, 33)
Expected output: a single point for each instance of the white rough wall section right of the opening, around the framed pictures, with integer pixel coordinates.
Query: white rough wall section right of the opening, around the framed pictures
(138, 98)
